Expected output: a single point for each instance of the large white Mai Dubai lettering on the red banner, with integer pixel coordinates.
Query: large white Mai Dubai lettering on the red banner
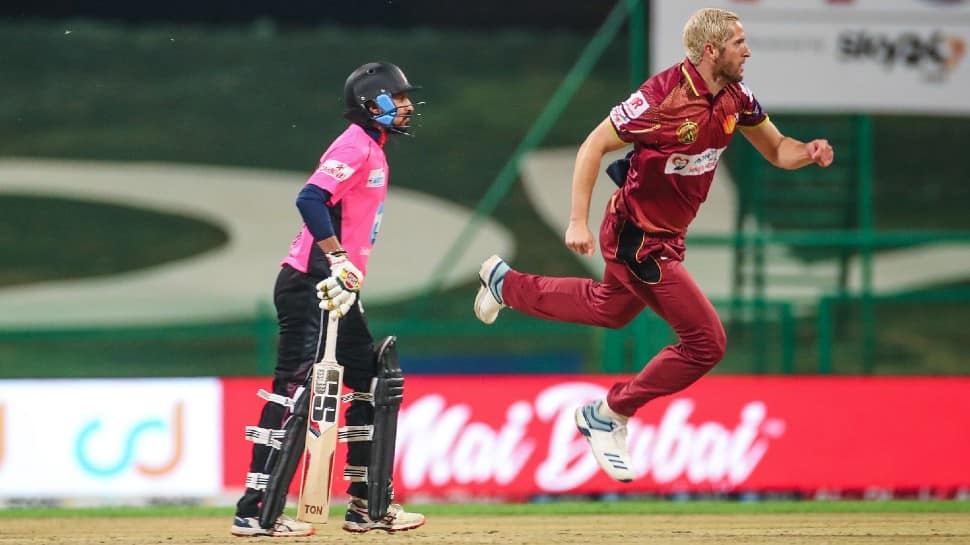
(440, 445)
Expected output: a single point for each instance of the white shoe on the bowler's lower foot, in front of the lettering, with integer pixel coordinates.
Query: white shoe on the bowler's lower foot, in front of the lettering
(606, 433)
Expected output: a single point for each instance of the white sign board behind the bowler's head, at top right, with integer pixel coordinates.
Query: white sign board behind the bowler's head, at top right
(906, 56)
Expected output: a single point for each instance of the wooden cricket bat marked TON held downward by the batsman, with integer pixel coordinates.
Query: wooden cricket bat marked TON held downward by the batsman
(321, 435)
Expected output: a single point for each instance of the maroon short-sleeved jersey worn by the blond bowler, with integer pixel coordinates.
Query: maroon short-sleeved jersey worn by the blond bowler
(679, 130)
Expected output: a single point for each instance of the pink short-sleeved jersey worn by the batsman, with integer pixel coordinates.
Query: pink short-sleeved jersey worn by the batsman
(354, 170)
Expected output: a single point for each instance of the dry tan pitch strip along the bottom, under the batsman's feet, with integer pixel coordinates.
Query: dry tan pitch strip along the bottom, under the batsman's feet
(790, 529)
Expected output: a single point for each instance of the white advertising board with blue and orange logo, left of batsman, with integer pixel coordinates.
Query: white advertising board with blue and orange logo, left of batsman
(110, 438)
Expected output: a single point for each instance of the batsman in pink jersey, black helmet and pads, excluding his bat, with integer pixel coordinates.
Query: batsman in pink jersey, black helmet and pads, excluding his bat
(341, 206)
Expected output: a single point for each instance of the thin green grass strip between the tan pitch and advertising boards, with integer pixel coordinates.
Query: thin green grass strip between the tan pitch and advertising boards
(550, 508)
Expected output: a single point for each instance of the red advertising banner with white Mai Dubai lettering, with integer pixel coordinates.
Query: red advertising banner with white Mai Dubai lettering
(513, 435)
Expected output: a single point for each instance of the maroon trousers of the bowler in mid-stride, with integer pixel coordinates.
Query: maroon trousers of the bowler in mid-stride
(641, 271)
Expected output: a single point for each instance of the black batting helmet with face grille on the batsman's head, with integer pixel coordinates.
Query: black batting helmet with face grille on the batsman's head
(374, 82)
